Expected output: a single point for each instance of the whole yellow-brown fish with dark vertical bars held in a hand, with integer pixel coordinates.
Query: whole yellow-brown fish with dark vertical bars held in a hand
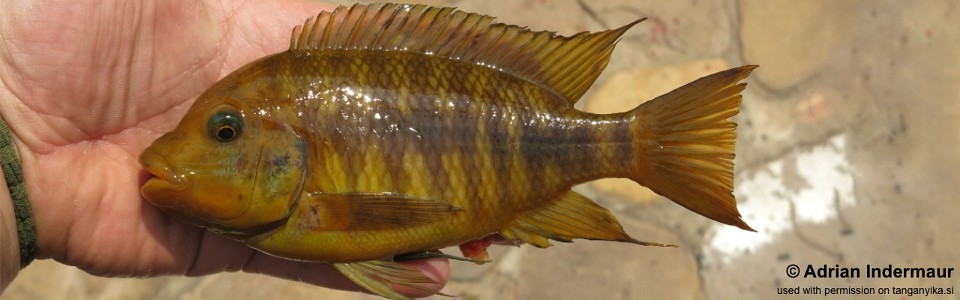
(387, 131)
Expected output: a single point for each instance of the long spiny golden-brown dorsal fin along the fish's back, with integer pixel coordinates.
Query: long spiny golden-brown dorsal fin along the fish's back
(567, 65)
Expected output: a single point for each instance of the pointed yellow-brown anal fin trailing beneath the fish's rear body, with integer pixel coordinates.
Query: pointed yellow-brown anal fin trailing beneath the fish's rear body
(571, 216)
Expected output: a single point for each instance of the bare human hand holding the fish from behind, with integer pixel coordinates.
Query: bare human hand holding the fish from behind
(86, 86)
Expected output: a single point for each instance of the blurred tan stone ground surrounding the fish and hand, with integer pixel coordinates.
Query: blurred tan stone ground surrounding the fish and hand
(845, 156)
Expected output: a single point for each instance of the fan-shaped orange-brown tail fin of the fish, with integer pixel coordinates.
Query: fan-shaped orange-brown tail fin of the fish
(685, 145)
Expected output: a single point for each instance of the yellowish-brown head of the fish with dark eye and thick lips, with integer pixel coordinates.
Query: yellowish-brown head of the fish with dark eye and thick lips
(230, 166)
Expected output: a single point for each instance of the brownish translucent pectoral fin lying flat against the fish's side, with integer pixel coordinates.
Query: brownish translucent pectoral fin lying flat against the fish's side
(375, 211)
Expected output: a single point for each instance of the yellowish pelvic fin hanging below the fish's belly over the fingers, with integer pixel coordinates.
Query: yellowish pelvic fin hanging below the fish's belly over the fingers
(376, 276)
